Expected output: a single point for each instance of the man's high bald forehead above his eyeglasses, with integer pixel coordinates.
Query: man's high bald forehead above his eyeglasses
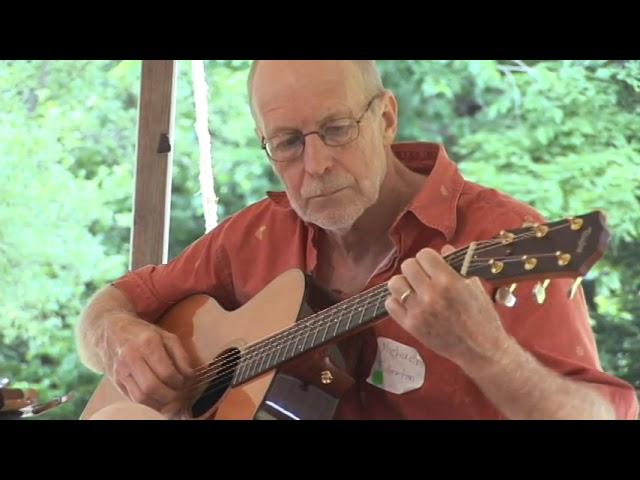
(295, 94)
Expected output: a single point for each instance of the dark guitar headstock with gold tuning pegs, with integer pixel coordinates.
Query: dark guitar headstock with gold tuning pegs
(566, 248)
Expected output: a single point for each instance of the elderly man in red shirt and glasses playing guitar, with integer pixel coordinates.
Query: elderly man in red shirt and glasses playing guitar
(360, 210)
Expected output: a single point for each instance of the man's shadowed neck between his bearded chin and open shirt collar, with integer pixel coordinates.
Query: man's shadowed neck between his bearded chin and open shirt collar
(370, 233)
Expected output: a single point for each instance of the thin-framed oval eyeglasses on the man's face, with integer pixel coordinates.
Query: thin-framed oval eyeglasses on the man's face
(336, 133)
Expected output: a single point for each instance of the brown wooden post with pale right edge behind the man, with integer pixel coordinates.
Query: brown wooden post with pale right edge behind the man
(152, 196)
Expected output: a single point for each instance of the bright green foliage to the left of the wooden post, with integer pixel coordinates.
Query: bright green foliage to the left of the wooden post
(67, 134)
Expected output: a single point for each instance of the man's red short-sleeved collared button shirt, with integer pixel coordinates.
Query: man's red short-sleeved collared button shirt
(236, 260)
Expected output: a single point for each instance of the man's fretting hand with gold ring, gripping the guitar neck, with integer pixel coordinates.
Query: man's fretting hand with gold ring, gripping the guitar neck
(451, 315)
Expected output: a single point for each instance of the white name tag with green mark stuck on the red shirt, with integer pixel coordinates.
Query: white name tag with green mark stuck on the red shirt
(398, 368)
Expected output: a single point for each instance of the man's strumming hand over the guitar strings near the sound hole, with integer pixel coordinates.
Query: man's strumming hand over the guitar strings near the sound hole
(148, 364)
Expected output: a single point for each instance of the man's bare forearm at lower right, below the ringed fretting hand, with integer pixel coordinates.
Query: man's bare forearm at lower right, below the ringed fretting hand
(522, 388)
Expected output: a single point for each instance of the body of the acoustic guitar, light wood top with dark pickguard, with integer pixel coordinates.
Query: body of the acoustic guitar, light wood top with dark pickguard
(299, 389)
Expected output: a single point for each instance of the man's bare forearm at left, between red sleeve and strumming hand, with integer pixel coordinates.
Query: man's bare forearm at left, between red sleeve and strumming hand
(105, 306)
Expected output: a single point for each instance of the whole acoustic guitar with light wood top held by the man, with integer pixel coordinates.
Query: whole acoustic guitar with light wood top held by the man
(268, 359)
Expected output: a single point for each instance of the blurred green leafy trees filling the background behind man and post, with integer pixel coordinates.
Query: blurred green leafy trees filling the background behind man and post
(561, 135)
